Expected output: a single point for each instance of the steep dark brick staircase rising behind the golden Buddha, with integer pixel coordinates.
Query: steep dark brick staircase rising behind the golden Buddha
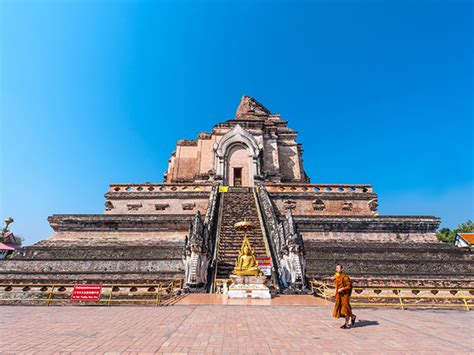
(237, 204)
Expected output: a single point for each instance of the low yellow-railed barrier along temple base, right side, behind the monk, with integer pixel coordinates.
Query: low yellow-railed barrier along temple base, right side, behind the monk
(403, 297)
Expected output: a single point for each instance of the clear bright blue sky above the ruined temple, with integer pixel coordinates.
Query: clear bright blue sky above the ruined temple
(98, 92)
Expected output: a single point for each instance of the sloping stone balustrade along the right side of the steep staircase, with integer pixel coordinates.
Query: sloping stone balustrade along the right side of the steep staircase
(269, 222)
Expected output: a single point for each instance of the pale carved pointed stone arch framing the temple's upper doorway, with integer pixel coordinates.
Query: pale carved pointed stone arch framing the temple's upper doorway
(237, 137)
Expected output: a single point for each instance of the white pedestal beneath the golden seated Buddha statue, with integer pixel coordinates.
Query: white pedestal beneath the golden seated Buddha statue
(248, 287)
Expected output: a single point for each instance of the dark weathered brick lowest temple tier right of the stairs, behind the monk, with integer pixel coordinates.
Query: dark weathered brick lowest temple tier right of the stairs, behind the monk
(371, 263)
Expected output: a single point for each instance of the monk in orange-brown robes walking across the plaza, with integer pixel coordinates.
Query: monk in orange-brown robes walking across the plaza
(342, 308)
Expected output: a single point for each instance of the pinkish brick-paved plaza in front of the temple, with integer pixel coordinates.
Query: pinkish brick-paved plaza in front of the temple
(230, 329)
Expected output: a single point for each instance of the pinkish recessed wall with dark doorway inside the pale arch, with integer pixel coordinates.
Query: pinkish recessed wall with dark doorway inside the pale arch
(238, 166)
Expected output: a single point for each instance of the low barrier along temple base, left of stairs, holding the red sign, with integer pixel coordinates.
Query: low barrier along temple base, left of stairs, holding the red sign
(161, 293)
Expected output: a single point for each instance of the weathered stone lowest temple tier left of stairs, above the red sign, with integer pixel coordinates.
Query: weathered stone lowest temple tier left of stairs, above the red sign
(95, 261)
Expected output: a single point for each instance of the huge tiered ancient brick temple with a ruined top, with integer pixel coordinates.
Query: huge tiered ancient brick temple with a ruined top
(249, 167)
